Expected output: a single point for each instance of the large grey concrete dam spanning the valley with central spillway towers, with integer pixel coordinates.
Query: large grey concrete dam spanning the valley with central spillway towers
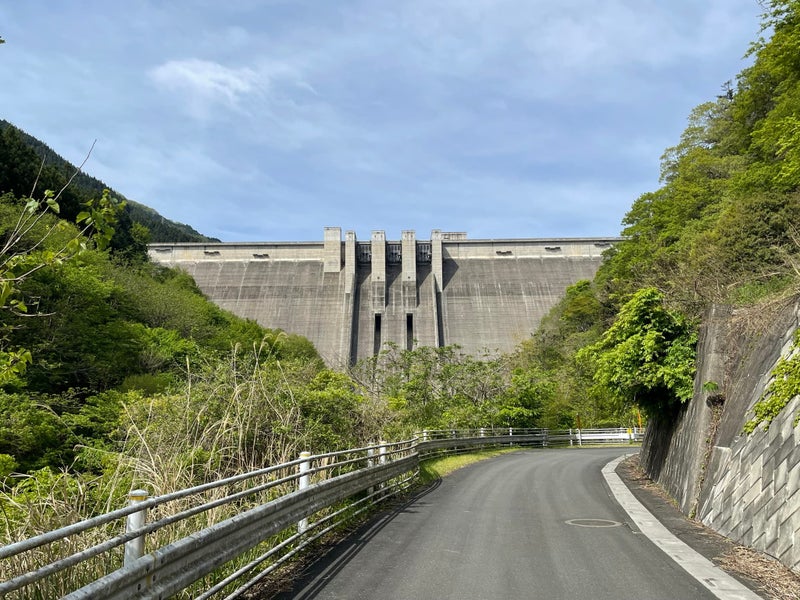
(351, 297)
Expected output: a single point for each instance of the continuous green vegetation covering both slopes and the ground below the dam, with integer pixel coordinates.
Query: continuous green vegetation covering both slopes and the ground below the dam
(119, 371)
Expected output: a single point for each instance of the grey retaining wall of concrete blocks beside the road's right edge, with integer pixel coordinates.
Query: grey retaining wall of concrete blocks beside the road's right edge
(747, 487)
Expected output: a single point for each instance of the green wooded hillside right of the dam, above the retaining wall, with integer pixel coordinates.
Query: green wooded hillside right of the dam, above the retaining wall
(722, 228)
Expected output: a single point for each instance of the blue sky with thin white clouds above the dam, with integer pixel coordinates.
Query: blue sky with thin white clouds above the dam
(269, 120)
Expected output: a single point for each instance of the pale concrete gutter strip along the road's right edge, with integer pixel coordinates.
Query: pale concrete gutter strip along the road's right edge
(717, 581)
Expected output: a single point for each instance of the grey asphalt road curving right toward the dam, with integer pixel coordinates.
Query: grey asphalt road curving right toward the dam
(532, 524)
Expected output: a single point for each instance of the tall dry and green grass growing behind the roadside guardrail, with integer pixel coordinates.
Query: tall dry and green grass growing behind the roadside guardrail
(229, 417)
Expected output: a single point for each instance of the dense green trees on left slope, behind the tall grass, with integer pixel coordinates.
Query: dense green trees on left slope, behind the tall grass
(102, 333)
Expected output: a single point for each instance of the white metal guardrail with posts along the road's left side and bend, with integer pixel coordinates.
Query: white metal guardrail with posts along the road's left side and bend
(255, 521)
